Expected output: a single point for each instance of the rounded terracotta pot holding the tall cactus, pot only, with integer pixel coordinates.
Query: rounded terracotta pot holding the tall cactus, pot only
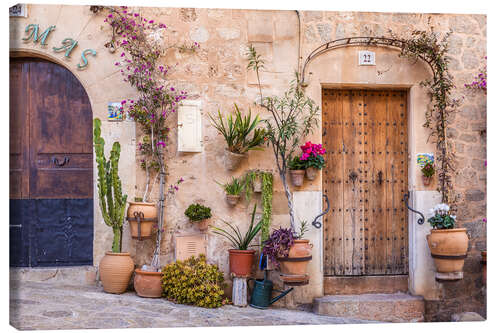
(115, 271)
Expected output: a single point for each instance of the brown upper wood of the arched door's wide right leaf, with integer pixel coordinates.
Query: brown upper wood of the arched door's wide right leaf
(61, 140)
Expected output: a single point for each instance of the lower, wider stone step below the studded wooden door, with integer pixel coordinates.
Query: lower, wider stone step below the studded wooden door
(396, 308)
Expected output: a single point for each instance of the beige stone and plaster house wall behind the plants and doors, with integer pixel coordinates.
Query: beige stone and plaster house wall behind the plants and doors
(217, 76)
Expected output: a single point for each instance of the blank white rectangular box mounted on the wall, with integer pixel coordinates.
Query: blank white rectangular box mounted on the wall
(189, 127)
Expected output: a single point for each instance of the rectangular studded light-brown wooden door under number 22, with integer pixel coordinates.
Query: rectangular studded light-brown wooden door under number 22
(365, 177)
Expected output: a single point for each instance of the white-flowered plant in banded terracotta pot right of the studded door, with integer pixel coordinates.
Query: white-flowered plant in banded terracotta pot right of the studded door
(448, 245)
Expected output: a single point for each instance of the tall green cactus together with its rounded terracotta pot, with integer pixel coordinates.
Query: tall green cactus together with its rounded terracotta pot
(115, 269)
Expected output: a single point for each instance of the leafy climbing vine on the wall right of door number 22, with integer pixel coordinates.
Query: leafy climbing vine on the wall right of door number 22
(427, 46)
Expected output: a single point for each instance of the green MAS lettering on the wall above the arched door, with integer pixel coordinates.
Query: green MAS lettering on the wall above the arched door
(67, 44)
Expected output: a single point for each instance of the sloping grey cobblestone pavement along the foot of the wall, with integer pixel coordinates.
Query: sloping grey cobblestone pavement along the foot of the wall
(35, 305)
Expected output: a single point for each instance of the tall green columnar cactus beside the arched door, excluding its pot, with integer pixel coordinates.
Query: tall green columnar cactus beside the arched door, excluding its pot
(111, 200)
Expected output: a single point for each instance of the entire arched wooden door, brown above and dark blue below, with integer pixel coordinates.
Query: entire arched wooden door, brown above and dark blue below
(51, 188)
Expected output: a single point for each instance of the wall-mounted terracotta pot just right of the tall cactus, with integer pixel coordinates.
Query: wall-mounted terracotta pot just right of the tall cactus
(149, 211)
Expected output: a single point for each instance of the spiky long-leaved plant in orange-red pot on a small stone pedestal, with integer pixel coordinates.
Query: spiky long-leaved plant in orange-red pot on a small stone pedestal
(240, 257)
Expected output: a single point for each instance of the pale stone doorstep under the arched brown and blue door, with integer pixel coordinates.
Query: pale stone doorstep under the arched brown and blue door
(77, 275)
